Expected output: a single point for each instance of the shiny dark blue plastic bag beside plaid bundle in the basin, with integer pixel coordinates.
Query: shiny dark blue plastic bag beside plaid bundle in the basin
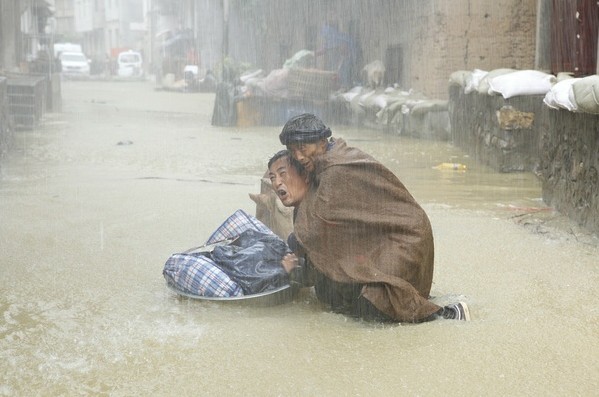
(253, 261)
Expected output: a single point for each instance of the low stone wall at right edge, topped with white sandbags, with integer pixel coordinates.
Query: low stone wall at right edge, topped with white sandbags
(522, 134)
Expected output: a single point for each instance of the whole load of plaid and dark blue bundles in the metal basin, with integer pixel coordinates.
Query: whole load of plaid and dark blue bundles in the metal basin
(242, 257)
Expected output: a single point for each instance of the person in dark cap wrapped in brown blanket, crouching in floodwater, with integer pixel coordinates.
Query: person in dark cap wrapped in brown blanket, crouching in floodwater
(367, 239)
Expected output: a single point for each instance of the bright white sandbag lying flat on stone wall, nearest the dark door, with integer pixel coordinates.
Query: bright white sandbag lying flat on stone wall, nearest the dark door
(522, 82)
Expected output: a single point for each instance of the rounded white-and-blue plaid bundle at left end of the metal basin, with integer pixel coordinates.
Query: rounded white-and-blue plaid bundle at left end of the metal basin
(198, 275)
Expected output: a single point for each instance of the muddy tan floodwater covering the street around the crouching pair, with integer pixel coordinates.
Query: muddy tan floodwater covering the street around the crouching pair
(94, 202)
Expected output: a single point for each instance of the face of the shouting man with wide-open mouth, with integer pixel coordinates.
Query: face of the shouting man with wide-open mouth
(288, 184)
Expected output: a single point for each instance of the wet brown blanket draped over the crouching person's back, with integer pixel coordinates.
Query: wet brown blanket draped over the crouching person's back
(359, 224)
